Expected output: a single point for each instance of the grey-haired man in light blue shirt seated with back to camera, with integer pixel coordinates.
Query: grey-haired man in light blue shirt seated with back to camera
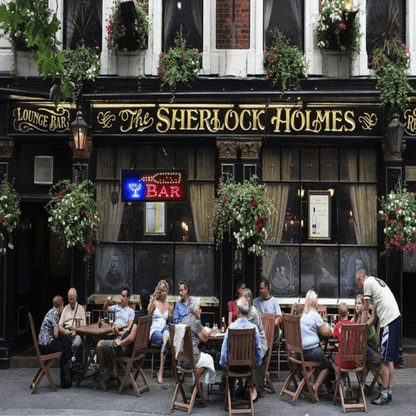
(242, 322)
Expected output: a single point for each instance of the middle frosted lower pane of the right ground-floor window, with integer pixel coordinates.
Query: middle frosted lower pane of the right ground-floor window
(319, 271)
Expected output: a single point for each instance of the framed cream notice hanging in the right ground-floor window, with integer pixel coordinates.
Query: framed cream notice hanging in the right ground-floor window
(319, 215)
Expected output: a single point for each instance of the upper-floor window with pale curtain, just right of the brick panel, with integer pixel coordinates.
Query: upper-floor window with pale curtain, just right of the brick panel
(285, 15)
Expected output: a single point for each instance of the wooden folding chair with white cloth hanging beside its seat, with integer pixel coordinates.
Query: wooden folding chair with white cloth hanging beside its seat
(185, 366)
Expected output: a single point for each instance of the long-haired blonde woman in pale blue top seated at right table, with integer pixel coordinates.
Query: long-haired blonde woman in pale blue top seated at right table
(312, 326)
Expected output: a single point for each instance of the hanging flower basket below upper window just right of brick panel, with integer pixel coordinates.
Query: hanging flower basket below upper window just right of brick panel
(285, 63)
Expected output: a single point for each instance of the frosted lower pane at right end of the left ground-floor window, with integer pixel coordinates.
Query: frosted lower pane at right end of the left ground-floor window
(195, 264)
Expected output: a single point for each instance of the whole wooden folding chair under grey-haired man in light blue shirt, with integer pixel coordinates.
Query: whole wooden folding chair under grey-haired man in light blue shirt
(240, 363)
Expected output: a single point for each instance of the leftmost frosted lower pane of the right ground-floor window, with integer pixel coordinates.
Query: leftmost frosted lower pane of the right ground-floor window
(282, 265)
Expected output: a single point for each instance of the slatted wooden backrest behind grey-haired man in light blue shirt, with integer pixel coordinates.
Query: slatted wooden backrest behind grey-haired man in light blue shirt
(241, 347)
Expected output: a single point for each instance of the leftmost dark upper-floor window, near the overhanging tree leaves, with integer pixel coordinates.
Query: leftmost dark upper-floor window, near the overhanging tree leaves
(82, 24)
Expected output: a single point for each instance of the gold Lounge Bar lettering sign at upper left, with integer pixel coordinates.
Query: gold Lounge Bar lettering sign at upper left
(42, 119)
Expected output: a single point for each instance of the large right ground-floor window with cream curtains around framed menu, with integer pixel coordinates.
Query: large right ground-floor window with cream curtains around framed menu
(296, 263)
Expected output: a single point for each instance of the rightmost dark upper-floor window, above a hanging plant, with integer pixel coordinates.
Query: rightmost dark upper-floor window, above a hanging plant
(386, 20)
